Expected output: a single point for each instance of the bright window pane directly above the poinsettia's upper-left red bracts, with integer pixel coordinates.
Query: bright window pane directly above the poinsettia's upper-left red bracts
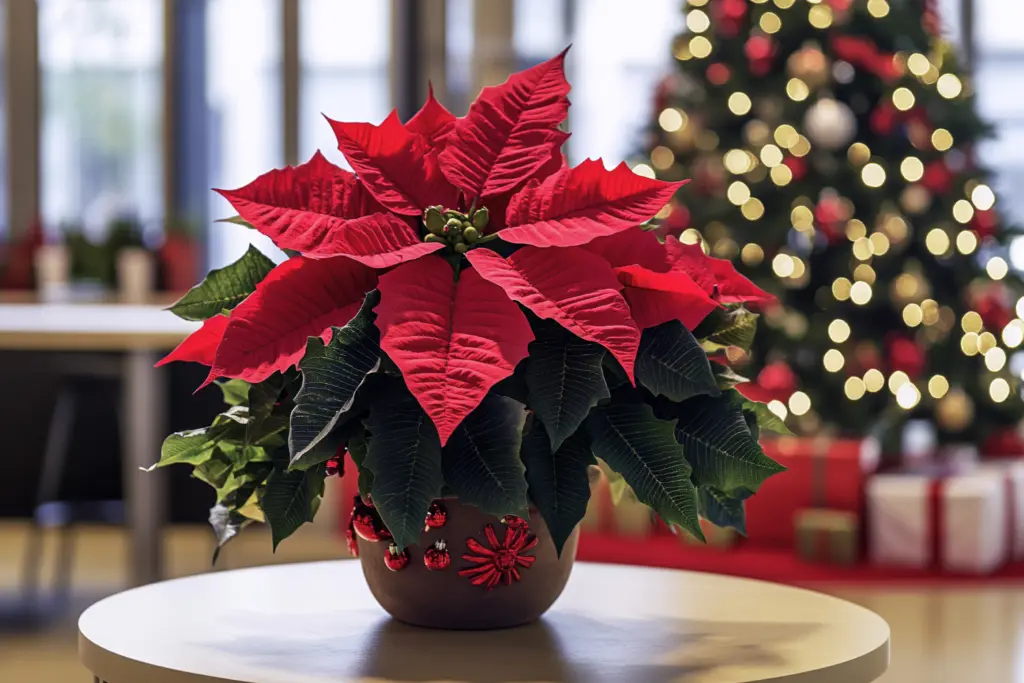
(345, 52)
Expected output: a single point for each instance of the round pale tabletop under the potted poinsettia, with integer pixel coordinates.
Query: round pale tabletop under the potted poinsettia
(318, 623)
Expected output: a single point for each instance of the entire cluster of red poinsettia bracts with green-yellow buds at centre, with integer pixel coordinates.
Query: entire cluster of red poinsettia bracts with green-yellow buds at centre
(454, 326)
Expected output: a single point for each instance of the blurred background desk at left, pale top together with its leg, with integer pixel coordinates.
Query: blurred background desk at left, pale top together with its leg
(143, 334)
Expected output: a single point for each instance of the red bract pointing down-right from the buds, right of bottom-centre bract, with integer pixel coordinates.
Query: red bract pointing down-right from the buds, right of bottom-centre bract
(571, 286)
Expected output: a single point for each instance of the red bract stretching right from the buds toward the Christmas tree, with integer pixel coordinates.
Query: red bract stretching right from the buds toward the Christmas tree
(576, 205)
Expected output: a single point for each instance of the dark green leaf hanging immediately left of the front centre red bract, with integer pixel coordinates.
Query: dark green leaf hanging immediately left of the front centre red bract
(332, 375)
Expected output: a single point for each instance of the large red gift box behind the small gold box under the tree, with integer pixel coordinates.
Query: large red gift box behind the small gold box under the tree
(822, 474)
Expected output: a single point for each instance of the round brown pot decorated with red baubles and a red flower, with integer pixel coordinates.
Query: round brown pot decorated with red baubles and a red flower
(510, 588)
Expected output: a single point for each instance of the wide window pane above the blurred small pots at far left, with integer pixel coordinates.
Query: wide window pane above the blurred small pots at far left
(103, 104)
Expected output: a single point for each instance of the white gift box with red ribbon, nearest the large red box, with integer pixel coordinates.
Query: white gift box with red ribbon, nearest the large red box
(958, 523)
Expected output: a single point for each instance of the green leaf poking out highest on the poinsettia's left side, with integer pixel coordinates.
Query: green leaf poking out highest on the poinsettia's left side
(225, 288)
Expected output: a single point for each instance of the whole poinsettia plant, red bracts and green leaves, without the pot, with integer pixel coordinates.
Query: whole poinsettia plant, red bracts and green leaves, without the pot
(465, 315)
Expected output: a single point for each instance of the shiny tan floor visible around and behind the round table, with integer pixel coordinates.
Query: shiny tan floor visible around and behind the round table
(940, 635)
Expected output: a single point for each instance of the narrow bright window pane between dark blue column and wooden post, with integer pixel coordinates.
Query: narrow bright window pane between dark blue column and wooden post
(244, 94)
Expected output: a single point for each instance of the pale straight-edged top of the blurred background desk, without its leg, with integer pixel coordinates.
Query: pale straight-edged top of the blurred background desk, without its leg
(92, 327)
